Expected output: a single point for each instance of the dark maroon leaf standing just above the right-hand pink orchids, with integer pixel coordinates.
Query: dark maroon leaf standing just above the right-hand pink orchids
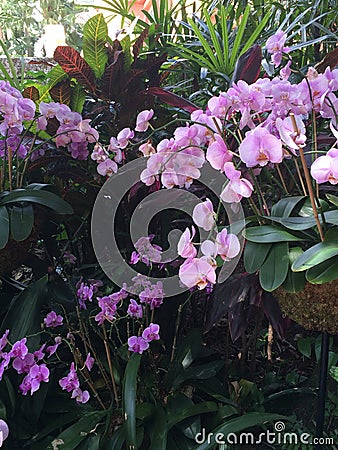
(248, 65)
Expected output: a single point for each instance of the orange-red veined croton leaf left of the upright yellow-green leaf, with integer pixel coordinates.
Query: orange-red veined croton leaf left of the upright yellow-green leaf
(72, 63)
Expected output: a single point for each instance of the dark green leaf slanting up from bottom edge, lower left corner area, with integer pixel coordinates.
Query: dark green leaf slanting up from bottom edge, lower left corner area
(76, 433)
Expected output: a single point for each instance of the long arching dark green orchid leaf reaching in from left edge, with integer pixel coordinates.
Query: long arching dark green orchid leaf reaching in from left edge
(41, 197)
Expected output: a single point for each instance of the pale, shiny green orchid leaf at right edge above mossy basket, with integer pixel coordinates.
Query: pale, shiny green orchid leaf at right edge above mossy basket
(319, 252)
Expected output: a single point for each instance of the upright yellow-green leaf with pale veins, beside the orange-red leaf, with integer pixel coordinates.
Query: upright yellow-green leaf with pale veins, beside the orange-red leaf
(95, 35)
